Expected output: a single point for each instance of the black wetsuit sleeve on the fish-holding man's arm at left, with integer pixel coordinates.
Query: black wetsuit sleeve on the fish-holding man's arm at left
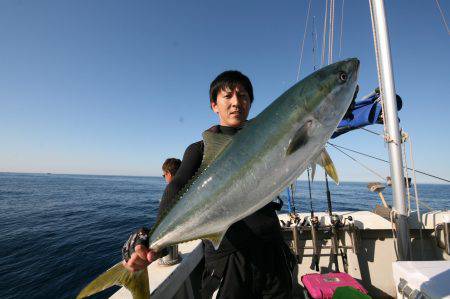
(192, 159)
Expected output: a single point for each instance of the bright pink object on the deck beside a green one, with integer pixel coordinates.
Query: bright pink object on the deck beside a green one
(324, 285)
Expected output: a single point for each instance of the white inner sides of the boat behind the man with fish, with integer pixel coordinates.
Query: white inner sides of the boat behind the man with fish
(369, 261)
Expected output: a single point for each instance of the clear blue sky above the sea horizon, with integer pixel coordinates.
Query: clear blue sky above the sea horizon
(115, 87)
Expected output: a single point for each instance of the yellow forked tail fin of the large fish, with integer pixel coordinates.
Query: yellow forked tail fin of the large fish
(136, 283)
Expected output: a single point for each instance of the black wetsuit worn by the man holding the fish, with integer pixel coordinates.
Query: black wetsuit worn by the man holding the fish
(252, 260)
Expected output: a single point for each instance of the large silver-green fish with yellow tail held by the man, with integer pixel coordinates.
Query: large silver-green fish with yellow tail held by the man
(241, 174)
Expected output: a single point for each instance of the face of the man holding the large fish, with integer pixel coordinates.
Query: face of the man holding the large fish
(232, 106)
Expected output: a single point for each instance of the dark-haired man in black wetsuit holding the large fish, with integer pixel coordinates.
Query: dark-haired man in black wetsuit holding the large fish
(252, 260)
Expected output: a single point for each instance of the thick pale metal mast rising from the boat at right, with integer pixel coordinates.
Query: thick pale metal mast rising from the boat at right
(387, 88)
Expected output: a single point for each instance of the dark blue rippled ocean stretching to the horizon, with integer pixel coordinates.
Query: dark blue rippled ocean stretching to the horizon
(58, 232)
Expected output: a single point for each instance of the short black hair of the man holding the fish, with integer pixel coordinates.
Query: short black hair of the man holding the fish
(229, 79)
